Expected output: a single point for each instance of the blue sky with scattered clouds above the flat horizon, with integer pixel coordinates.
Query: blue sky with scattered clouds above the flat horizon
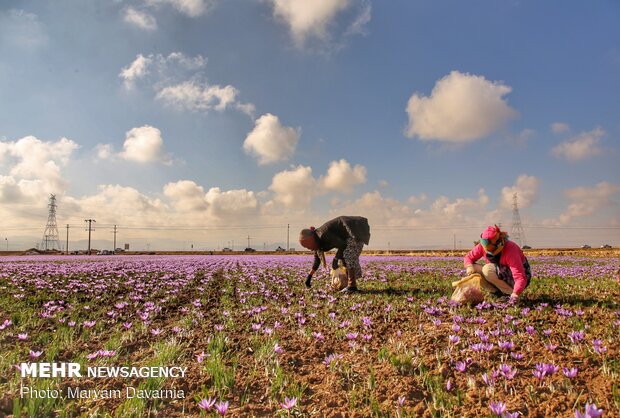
(203, 124)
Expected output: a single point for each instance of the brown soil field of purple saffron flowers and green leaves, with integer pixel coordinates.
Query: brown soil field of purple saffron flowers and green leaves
(255, 342)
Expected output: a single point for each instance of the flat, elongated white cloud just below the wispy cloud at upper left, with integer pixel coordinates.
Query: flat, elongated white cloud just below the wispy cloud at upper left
(195, 97)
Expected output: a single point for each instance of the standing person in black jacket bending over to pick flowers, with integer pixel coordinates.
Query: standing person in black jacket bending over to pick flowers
(347, 234)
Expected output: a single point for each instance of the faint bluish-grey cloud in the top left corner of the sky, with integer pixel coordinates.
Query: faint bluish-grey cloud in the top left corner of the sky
(20, 29)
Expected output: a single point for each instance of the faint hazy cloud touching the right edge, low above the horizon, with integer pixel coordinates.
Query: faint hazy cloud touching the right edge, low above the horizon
(586, 201)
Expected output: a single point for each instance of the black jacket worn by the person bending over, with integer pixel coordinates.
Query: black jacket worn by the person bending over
(335, 233)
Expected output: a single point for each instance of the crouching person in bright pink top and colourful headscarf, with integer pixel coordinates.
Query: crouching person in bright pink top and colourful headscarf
(506, 266)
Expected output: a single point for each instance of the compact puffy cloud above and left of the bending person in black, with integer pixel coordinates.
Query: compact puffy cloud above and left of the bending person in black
(271, 141)
